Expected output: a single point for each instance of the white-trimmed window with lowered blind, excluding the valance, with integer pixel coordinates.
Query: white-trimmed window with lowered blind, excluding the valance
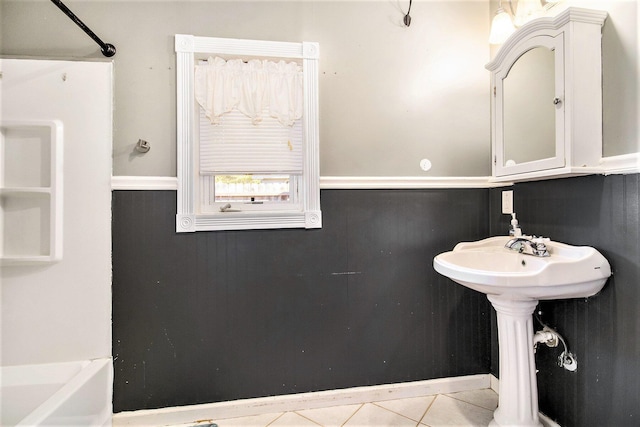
(244, 173)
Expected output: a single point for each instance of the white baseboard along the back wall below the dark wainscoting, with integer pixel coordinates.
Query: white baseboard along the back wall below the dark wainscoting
(301, 401)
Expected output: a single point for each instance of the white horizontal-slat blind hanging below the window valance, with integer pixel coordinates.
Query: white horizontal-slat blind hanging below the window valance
(237, 146)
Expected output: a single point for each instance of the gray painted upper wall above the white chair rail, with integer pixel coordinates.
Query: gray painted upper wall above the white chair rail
(389, 95)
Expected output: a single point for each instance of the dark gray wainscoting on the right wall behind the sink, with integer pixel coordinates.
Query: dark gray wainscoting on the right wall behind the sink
(604, 330)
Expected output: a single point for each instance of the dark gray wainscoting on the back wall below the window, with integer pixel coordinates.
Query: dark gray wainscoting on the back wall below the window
(217, 316)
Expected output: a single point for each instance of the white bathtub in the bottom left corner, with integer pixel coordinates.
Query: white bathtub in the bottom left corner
(57, 394)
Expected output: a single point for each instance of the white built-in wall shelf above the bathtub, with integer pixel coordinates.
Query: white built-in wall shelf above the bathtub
(30, 191)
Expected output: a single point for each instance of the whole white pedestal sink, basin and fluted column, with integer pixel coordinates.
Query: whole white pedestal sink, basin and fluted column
(514, 283)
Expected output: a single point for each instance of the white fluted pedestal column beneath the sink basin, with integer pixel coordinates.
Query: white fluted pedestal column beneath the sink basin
(518, 390)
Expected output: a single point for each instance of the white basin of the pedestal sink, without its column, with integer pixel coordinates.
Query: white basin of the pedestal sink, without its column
(487, 266)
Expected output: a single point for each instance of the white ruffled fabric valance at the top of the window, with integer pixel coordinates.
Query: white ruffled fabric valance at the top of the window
(251, 87)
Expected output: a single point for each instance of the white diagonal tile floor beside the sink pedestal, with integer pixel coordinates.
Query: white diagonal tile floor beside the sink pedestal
(469, 408)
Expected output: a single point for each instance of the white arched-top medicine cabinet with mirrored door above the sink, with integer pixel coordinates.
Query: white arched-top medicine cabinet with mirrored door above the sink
(546, 106)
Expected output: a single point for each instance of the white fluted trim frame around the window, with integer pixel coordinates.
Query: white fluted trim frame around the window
(187, 218)
